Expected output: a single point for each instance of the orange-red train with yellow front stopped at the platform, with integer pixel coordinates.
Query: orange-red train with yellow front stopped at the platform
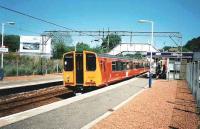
(88, 69)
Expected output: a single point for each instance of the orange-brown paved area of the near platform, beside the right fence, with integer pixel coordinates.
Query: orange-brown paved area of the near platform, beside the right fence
(167, 105)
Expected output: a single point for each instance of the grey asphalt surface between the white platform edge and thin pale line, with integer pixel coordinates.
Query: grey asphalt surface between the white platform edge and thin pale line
(79, 113)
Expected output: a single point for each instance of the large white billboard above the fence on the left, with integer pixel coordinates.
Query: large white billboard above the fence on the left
(35, 45)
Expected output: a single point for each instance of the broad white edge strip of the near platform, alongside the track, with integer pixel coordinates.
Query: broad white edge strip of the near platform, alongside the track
(33, 112)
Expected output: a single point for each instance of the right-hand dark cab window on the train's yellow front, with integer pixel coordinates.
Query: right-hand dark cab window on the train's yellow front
(90, 62)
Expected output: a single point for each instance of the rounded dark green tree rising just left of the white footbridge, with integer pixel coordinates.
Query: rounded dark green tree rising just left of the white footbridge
(114, 40)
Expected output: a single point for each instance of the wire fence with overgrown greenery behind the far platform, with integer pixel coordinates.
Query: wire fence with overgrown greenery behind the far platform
(16, 65)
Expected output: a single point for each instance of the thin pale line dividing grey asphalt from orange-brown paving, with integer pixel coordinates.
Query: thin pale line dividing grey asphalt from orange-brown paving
(94, 122)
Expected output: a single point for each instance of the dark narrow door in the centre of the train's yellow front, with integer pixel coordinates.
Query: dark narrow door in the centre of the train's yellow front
(79, 68)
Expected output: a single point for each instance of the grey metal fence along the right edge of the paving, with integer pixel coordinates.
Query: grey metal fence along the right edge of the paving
(193, 79)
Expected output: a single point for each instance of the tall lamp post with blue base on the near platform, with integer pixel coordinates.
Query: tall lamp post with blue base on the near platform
(152, 24)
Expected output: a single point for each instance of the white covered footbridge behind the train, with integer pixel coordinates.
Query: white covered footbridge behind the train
(132, 48)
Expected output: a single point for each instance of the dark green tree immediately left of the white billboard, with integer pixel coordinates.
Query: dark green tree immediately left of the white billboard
(12, 42)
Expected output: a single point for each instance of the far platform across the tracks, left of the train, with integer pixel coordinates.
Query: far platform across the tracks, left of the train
(21, 81)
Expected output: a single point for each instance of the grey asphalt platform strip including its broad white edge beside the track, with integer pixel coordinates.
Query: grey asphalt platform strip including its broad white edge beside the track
(75, 112)
